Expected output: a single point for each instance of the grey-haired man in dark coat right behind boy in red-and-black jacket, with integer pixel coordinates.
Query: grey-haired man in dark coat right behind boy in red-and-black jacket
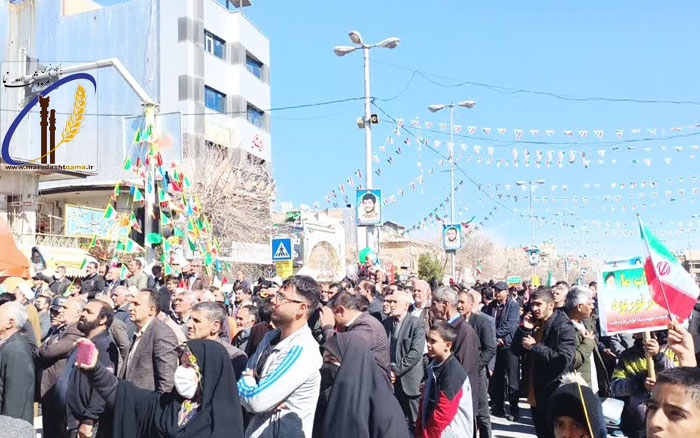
(466, 347)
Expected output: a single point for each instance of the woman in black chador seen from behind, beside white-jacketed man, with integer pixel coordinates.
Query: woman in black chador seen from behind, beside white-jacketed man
(355, 401)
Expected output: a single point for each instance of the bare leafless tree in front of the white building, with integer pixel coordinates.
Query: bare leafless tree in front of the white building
(235, 189)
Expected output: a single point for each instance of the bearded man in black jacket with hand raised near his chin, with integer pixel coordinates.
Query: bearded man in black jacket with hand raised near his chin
(549, 339)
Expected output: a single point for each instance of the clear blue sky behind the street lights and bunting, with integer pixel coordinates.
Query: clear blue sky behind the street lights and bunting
(641, 50)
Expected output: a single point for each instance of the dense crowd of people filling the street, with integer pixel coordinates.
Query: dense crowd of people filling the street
(177, 356)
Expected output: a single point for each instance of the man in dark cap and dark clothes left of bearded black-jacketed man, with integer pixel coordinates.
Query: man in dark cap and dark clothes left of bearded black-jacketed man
(506, 375)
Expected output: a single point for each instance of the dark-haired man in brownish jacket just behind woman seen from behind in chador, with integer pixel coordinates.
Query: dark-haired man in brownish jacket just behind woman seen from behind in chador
(344, 313)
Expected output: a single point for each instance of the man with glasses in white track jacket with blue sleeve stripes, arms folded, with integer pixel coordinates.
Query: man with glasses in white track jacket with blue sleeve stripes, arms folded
(281, 383)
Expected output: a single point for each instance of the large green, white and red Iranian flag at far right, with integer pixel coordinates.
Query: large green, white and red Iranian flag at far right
(670, 285)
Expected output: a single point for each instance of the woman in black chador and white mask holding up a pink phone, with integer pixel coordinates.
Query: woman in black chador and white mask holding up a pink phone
(204, 402)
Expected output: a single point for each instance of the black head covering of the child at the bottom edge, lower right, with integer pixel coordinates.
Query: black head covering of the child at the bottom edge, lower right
(566, 401)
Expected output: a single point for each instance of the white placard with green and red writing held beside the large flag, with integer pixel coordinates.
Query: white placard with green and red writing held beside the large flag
(624, 302)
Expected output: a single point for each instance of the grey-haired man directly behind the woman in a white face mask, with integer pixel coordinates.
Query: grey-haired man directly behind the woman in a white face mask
(206, 323)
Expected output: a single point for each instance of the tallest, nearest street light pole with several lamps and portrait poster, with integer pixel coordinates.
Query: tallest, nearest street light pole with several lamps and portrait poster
(388, 43)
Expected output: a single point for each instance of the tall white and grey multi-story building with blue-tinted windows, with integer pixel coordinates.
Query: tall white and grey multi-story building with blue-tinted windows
(203, 62)
